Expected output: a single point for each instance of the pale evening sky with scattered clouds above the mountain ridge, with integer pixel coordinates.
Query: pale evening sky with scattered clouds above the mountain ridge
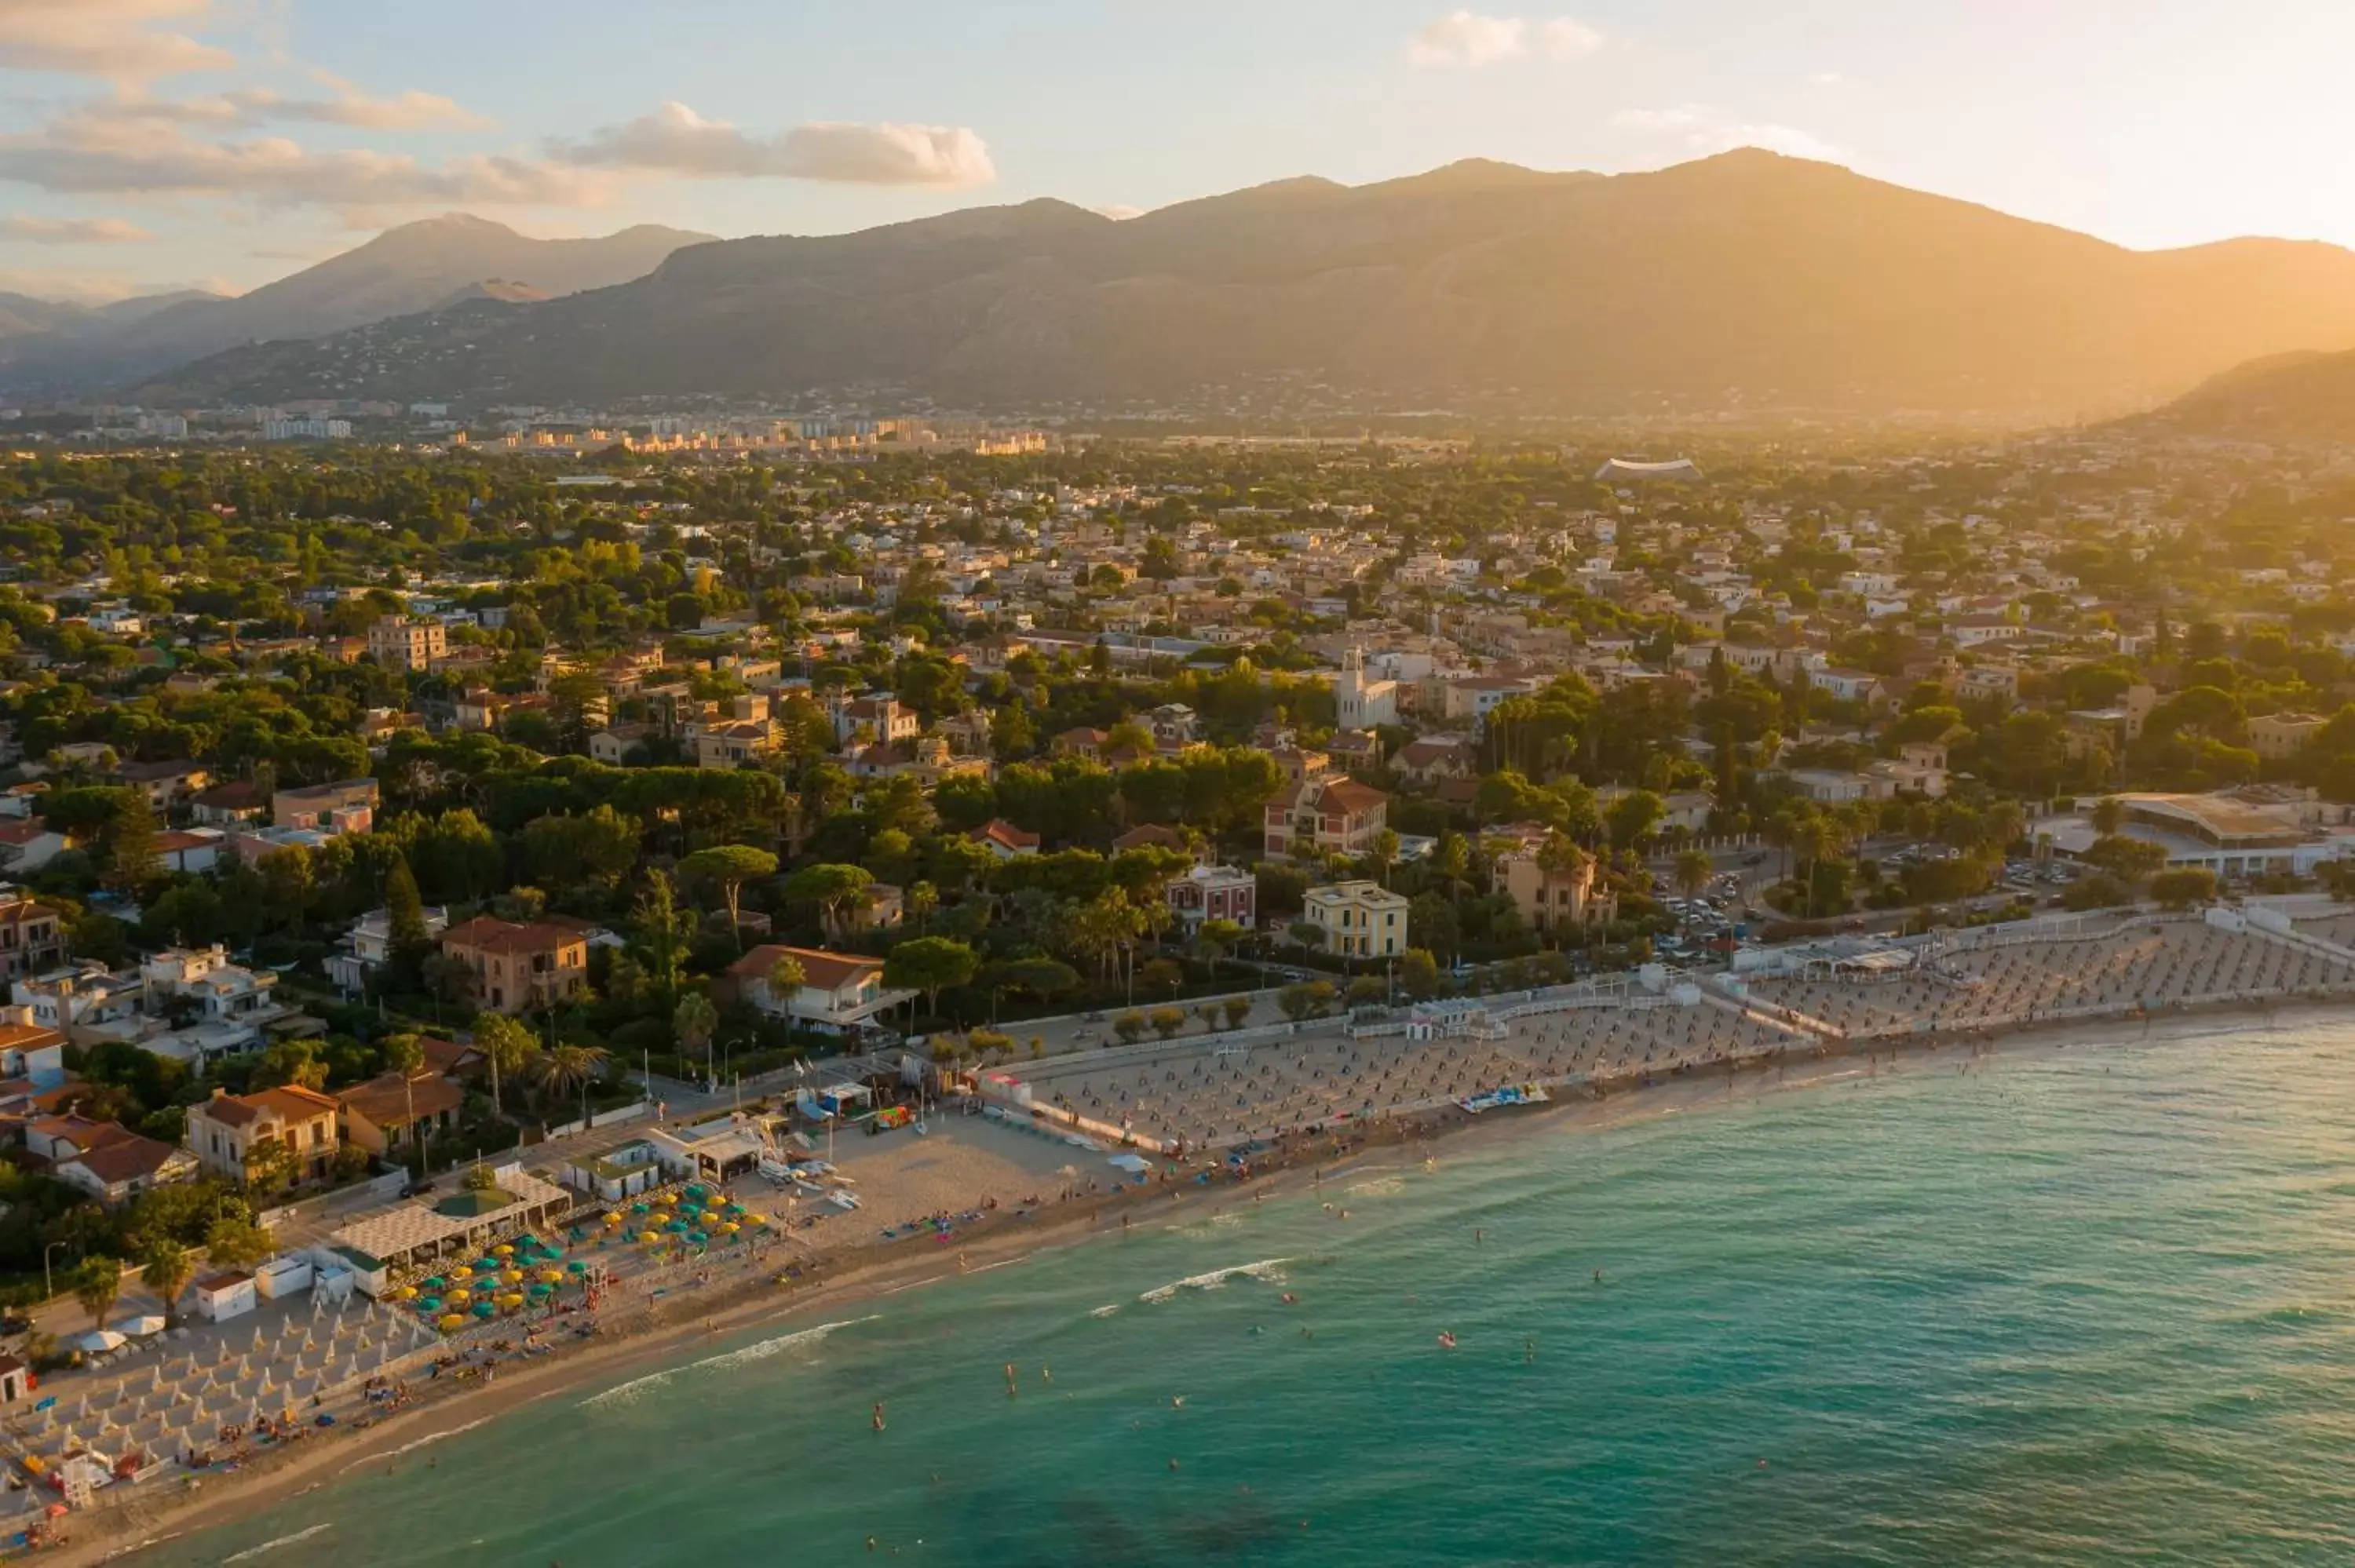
(154, 145)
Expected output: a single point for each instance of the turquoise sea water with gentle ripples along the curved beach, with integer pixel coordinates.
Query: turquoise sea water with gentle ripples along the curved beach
(2083, 1308)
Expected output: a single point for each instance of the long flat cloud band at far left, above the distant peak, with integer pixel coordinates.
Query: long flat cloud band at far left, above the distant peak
(277, 173)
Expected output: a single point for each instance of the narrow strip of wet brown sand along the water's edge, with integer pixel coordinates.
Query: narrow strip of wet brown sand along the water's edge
(858, 1275)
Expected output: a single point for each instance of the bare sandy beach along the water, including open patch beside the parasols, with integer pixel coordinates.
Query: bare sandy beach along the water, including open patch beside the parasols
(974, 1157)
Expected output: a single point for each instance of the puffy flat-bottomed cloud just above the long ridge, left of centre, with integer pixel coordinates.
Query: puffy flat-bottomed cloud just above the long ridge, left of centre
(682, 142)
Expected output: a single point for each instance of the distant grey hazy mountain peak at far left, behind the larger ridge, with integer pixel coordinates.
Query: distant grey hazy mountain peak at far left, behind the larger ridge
(406, 270)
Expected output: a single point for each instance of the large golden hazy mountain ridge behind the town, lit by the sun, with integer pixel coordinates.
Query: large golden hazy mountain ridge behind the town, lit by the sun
(1734, 281)
